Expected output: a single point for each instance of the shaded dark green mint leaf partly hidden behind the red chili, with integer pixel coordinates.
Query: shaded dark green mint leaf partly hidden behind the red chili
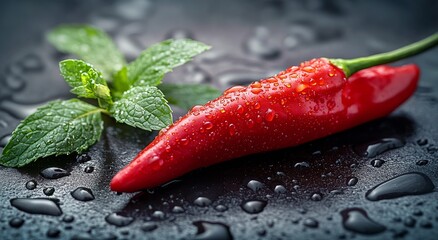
(188, 95)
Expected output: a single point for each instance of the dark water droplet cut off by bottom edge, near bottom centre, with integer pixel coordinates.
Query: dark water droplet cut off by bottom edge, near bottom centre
(212, 230)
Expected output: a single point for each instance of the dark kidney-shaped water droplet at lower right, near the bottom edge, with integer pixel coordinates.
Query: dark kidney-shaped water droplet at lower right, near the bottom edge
(357, 220)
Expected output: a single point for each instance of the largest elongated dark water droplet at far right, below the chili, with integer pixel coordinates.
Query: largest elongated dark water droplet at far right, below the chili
(413, 183)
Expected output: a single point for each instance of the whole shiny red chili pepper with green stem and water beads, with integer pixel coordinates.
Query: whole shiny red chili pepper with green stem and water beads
(297, 105)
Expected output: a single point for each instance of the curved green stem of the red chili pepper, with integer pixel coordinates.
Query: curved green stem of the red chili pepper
(350, 66)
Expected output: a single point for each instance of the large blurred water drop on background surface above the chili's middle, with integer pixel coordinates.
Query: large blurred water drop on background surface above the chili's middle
(261, 45)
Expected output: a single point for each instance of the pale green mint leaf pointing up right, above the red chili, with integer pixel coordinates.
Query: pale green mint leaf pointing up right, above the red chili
(149, 68)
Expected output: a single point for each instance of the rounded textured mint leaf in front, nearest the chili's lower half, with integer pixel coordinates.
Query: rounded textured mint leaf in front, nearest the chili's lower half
(143, 107)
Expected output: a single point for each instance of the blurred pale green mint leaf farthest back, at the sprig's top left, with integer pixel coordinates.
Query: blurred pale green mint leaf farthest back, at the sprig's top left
(90, 44)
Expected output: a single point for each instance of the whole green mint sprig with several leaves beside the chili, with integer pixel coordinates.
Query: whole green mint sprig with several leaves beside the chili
(126, 92)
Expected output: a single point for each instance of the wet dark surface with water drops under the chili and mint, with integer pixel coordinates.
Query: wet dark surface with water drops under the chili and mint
(314, 191)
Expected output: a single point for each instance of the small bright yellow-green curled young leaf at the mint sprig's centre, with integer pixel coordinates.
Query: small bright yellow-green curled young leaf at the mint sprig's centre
(85, 81)
